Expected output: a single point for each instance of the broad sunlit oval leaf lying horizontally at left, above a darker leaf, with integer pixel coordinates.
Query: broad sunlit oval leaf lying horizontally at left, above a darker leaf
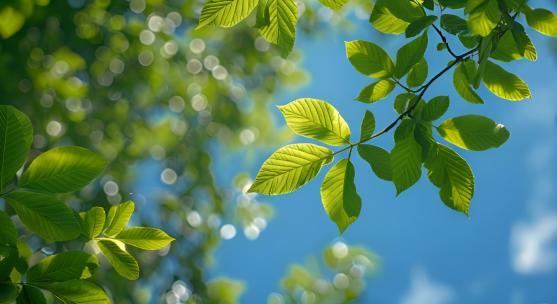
(63, 169)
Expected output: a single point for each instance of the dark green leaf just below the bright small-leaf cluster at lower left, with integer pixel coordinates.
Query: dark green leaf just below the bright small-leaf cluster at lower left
(65, 266)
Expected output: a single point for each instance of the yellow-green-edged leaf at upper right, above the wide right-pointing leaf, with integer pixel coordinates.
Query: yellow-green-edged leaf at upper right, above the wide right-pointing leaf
(504, 84)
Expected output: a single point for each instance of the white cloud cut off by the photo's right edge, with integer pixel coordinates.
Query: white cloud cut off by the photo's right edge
(532, 245)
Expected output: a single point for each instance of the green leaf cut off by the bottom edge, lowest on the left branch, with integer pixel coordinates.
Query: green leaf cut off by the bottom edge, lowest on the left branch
(77, 292)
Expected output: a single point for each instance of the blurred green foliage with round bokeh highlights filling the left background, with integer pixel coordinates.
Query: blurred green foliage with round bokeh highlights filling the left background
(133, 81)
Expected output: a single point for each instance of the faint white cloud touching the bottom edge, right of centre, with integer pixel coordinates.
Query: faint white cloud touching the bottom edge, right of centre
(423, 290)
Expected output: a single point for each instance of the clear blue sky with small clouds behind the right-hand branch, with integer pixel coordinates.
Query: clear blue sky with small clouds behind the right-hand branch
(506, 252)
